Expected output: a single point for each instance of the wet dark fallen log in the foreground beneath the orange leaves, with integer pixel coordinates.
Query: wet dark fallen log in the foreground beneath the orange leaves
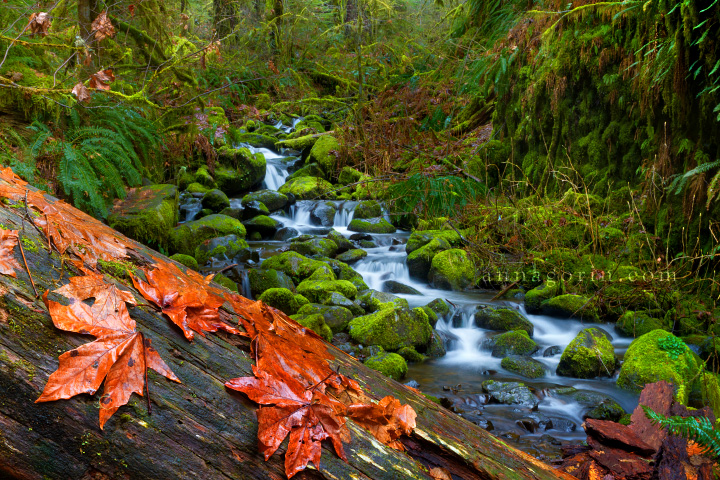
(197, 428)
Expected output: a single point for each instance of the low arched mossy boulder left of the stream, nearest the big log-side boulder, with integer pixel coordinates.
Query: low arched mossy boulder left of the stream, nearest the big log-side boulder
(187, 237)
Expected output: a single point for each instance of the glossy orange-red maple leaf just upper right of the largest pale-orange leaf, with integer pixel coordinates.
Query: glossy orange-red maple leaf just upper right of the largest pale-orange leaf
(185, 298)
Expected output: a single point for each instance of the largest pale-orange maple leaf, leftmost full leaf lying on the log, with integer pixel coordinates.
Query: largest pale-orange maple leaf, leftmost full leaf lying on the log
(120, 354)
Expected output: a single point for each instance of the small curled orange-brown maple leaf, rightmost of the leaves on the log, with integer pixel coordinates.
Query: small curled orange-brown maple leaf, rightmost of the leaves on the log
(387, 420)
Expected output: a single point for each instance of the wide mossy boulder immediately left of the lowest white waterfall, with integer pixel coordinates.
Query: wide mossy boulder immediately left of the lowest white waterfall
(392, 328)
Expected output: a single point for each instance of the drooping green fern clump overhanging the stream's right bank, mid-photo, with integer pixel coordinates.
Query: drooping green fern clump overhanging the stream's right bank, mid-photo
(429, 196)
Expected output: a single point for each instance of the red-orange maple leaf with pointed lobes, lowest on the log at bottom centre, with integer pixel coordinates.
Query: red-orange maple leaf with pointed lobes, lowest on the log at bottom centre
(289, 408)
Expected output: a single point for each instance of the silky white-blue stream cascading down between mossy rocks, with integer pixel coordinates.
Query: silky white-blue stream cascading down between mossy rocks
(456, 378)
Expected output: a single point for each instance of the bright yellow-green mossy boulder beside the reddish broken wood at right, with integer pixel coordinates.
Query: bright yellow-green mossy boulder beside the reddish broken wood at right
(650, 358)
